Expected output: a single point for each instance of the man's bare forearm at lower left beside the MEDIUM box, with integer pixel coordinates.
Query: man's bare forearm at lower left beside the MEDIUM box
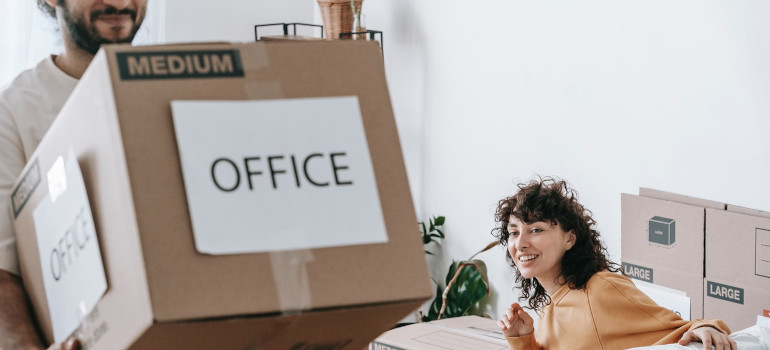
(17, 328)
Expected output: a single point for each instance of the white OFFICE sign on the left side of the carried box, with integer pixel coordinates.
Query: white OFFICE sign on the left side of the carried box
(73, 273)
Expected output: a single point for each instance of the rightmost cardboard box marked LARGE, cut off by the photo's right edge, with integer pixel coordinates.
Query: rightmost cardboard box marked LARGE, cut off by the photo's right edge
(737, 284)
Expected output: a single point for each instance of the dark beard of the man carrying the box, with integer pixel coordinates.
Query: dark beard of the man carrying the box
(88, 37)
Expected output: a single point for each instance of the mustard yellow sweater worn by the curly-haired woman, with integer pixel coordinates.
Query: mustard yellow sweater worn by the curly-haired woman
(610, 313)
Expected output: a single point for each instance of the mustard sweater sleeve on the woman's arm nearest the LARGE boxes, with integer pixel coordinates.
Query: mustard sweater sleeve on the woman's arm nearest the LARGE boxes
(625, 317)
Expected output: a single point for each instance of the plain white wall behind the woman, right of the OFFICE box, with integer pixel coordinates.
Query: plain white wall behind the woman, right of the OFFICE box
(608, 95)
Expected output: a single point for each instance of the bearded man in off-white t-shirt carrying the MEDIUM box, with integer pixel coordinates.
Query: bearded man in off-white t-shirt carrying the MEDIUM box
(28, 105)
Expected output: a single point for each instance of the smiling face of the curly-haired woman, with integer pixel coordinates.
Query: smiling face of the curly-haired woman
(537, 248)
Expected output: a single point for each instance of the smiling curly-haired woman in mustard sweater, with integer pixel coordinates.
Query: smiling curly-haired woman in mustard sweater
(581, 300)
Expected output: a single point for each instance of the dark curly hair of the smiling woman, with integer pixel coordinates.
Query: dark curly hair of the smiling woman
(551, 200)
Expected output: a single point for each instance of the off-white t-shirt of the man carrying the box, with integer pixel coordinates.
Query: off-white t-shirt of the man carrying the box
(28, 106)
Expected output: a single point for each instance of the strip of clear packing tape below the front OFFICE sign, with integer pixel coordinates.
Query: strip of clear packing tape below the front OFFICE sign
(291, 279)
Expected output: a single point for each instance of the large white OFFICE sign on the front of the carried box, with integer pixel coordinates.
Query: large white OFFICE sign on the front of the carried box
(277, 175)
